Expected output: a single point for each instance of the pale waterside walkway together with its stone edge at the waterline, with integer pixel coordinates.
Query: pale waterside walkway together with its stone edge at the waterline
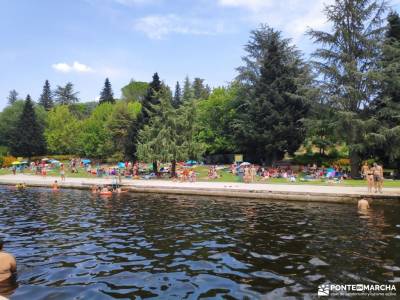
(305, 193)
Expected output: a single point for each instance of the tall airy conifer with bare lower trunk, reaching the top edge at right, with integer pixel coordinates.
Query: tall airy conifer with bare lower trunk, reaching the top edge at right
(346, 62)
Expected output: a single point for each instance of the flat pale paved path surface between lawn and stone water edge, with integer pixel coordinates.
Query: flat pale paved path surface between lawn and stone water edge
(206, 186)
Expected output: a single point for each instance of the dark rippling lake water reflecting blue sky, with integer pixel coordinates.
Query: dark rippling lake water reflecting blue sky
(73, 244)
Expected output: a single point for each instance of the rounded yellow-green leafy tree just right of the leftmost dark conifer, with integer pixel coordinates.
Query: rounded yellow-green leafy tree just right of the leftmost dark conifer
(62, 132)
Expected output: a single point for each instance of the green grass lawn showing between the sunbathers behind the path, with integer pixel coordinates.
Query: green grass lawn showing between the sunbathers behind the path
(225, 176)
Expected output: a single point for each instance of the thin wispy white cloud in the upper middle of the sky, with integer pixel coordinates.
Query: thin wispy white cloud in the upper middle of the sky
(159, 26)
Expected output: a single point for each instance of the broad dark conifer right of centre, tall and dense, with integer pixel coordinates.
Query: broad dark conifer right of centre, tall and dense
(272, 101)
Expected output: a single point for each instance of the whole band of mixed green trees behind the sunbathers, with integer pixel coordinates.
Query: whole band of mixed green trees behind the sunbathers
(347, 94)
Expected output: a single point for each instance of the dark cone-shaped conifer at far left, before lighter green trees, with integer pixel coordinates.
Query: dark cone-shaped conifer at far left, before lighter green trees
(28, 138)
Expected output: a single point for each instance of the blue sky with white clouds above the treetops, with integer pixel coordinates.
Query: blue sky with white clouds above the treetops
(85, 41)
